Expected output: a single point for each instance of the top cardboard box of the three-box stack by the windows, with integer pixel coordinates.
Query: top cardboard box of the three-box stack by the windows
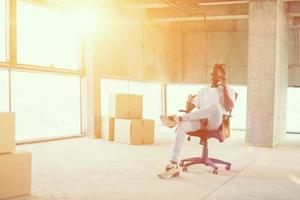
(126, 106)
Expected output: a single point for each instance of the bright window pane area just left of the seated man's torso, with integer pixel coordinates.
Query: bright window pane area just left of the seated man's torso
(177, 95)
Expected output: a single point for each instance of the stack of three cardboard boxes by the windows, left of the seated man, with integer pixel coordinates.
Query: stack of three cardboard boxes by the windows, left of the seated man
(126, 123)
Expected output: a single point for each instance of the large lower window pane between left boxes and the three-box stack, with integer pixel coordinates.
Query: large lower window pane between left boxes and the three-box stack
(45, 105)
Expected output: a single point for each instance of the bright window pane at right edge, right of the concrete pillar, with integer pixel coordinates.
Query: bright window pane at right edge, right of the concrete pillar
(293, 110)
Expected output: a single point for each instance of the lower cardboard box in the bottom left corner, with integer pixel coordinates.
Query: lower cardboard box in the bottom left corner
(15, 174)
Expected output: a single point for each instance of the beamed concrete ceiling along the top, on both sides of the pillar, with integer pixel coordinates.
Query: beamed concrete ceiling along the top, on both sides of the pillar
(184, 10)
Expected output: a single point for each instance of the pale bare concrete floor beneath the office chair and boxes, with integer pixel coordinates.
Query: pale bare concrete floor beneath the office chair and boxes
(93, 169)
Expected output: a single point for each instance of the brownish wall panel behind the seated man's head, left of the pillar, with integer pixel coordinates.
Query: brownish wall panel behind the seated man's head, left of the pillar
(202, 49)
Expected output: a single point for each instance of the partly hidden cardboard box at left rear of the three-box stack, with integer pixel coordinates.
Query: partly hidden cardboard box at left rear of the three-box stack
(107, 128)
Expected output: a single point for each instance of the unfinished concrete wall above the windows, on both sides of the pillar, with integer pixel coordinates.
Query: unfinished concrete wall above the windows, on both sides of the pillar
(137, 49)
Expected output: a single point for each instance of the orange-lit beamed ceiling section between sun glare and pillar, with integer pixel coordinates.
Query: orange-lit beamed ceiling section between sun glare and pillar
(190, 10)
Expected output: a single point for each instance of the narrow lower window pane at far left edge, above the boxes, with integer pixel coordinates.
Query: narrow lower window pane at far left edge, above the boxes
(4, 100)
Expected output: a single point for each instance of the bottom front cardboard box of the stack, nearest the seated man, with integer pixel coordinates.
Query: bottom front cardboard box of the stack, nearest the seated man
(134, 131)
